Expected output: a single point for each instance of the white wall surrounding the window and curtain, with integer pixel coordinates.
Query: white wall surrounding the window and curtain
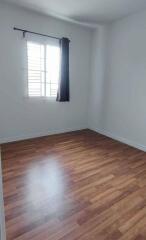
(21, 117)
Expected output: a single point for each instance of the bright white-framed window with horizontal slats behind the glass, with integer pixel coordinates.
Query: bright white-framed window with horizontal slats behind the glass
(43, 69)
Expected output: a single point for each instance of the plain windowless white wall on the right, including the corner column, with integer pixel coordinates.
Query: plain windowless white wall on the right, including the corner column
(118, 102)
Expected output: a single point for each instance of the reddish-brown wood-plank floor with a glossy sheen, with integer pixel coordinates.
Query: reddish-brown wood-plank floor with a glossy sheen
(74, 186)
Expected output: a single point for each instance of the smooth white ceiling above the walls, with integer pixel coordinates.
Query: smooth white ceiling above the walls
(85, 11)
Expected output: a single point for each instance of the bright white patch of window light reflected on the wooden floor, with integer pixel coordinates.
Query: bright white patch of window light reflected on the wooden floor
(47, 180)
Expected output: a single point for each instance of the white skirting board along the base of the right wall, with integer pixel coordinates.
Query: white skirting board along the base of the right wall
(120, 139)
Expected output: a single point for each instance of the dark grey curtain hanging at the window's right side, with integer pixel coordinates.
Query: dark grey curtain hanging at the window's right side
(63, 94)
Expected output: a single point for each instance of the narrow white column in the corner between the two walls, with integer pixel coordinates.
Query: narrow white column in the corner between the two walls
(98, 71)
